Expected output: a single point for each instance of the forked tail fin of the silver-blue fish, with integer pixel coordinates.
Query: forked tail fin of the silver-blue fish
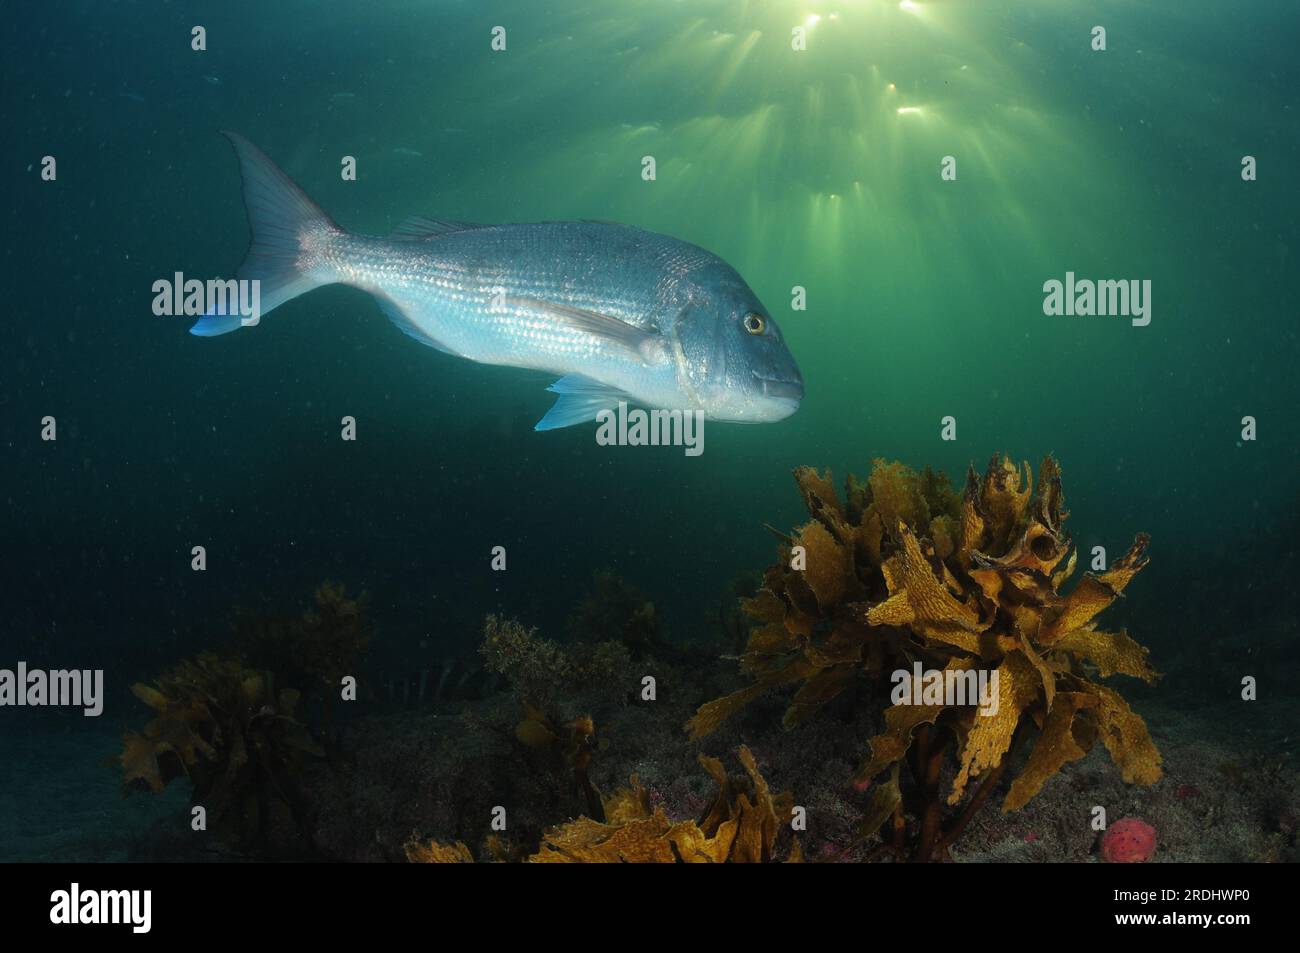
(284, 222)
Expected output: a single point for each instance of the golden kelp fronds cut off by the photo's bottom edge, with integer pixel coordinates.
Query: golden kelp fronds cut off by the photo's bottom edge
(740, 826)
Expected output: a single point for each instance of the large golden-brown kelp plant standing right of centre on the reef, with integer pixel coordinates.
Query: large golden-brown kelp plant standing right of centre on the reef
(904, 573)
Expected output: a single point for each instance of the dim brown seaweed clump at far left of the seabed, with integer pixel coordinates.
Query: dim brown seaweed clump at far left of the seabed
(235, 737)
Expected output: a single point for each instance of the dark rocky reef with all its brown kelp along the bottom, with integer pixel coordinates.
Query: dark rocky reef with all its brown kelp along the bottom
(833, 674)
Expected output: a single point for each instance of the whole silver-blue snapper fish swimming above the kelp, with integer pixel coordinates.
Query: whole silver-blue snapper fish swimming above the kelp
(618, 313)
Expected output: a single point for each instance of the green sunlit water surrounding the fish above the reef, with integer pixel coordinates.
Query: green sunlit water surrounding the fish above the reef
(817, 168)
